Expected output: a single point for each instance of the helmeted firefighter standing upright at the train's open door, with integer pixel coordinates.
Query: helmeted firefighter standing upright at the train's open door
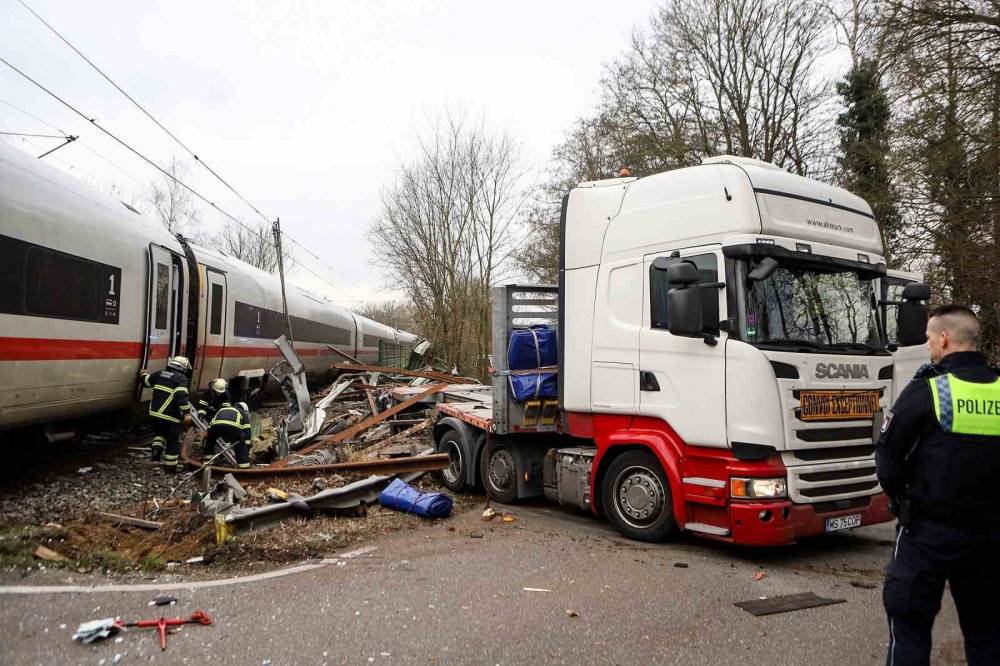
(168, 408)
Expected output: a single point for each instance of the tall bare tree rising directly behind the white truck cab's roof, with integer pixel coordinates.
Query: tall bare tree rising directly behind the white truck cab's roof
(706, 77)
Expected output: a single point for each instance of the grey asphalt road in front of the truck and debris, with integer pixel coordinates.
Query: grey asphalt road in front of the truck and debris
(435, 595)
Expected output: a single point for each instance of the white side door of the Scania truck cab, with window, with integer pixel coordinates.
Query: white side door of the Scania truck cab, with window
(681, 379)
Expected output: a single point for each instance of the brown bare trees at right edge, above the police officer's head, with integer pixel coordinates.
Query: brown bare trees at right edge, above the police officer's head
(945, 59)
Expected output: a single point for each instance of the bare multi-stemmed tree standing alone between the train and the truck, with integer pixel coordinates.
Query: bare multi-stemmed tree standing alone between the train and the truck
(445, 233)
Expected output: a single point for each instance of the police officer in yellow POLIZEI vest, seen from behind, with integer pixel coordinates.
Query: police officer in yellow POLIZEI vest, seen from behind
(938, 459)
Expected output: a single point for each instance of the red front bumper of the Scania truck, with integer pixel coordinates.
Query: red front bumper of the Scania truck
(787, 523)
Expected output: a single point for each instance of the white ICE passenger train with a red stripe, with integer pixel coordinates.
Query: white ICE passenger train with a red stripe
(91, 292)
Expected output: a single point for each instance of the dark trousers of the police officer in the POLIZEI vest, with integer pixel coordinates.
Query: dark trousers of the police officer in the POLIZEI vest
(927, 555)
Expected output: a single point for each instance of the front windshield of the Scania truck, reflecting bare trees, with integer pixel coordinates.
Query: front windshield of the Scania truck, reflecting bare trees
(810, 307)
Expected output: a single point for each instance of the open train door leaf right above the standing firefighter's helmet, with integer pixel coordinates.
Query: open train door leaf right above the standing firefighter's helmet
(163, 338)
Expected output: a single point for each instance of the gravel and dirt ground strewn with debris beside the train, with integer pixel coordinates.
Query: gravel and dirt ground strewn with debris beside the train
(55, 499)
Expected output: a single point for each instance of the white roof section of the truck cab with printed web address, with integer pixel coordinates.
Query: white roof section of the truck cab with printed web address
(725, 200)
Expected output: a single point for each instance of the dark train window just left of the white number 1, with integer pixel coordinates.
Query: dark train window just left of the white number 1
(59, 285)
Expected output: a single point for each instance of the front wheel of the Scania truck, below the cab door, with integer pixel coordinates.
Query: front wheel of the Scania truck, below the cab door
(636, 497)
